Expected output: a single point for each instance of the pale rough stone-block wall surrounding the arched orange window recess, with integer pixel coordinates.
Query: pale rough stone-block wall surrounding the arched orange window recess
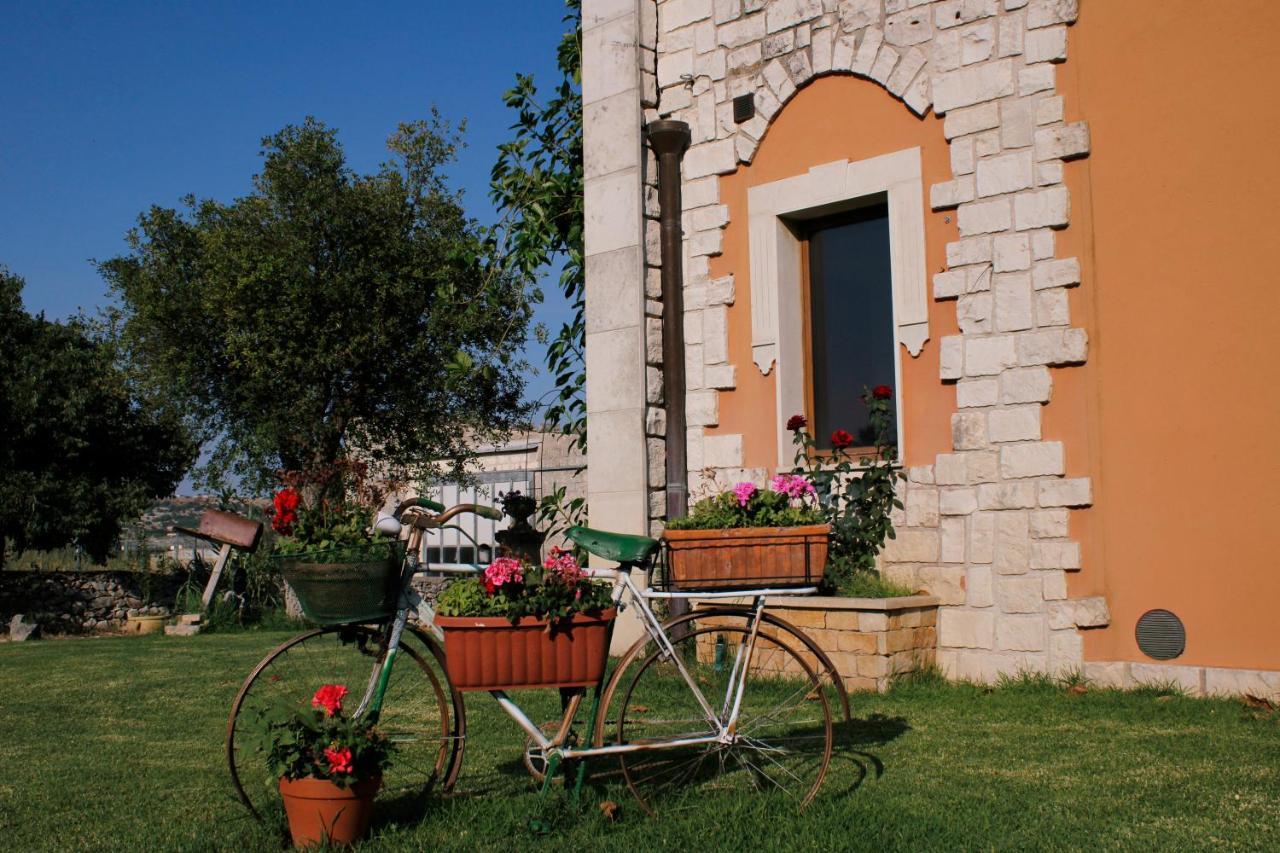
(985, 527)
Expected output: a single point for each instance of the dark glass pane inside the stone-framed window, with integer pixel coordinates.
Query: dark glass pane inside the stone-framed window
(852, 318)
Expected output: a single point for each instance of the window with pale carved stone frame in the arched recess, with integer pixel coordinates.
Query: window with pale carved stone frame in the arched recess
(835, 202)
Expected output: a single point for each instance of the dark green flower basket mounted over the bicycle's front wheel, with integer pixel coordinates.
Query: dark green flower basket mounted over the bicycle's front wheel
(346, 585)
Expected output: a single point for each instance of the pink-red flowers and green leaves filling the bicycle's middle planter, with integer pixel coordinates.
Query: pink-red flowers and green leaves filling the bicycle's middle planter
(513, 589)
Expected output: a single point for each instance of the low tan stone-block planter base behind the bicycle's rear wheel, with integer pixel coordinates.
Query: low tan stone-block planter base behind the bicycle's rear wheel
(868, 640)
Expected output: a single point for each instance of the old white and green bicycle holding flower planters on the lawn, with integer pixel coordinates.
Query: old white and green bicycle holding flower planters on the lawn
(742, 704)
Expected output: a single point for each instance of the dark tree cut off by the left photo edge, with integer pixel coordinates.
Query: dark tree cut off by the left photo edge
(80, 450)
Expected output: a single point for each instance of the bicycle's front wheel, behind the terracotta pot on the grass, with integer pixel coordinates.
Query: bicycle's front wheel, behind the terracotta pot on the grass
(420, 715)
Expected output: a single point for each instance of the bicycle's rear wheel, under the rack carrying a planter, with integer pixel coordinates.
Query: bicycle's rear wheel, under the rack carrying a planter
(780, 746)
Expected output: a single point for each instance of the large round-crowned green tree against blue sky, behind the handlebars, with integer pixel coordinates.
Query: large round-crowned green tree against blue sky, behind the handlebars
(327, 316)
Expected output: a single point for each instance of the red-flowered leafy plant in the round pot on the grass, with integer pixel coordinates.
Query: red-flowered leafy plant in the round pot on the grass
(319, 741)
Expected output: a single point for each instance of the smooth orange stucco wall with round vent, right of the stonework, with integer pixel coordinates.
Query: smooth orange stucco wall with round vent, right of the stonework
(1176, 416)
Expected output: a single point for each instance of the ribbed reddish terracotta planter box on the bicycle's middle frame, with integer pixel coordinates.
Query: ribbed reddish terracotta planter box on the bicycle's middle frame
(492, 654)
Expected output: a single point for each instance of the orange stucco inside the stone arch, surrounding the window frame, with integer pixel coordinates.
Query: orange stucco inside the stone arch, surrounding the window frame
(836, 118)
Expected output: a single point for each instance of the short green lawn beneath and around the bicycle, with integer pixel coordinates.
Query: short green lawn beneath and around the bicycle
(117, 745)
